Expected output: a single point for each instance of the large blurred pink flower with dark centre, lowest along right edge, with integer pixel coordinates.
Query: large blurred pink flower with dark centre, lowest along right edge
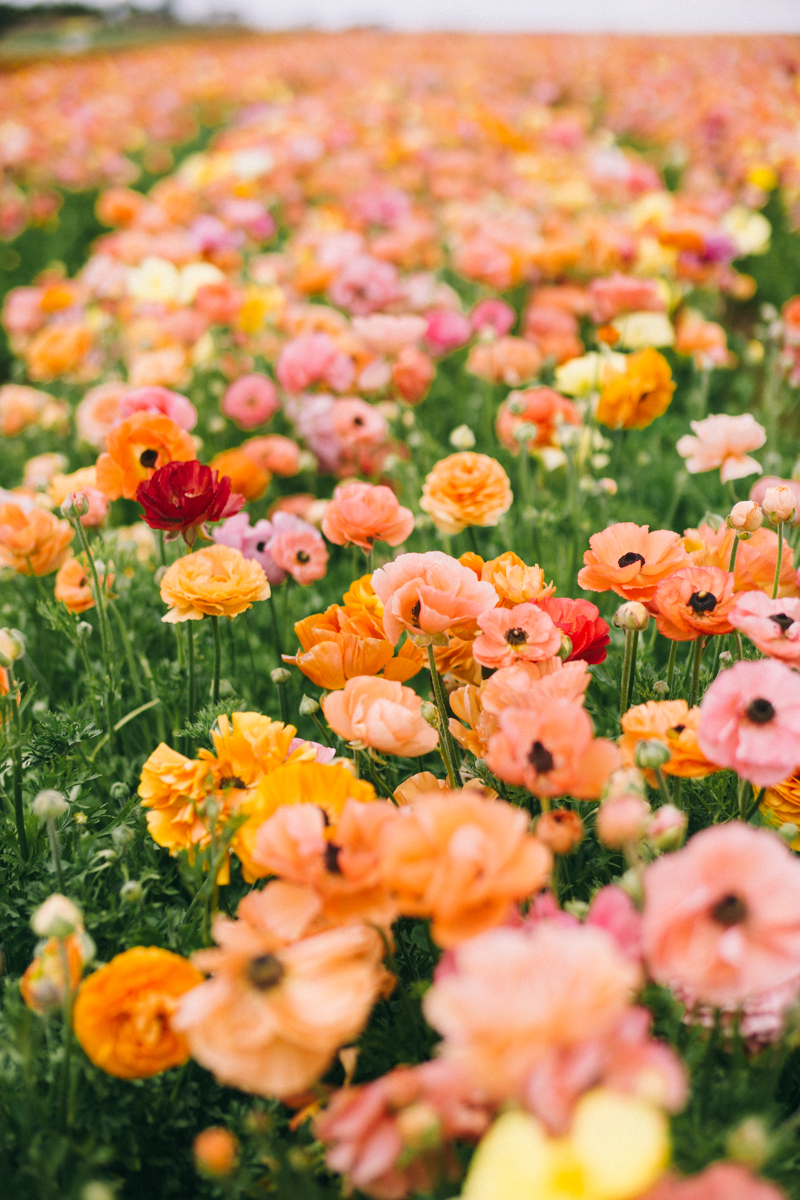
(723, 915)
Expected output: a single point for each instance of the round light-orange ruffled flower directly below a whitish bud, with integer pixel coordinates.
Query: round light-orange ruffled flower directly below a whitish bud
(465, 490)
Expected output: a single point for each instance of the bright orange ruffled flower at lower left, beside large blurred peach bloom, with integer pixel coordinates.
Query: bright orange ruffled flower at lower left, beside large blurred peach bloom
(123, 1012)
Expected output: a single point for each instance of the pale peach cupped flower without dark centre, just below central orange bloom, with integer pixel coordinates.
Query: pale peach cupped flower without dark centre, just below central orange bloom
(381, 715)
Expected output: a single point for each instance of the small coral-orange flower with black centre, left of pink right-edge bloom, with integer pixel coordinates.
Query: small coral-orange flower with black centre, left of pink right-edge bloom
(696, 602)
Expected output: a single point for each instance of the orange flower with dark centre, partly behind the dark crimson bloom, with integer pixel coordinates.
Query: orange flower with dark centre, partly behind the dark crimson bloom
(139, 447)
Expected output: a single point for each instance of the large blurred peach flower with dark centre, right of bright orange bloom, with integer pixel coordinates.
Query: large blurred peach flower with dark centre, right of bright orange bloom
(299, 993)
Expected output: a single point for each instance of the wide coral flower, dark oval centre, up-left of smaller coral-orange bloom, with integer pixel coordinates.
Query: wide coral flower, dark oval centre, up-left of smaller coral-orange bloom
(630, 561)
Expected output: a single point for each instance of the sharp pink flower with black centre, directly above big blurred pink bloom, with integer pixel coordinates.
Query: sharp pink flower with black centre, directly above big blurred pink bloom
(750, 722)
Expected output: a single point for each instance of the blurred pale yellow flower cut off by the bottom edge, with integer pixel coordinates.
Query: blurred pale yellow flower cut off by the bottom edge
(617, 1149)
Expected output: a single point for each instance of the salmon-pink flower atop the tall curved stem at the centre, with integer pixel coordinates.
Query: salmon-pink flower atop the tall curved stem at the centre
(430, 595)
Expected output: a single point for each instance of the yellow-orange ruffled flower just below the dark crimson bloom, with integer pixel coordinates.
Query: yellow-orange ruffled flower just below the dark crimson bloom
(218, 581)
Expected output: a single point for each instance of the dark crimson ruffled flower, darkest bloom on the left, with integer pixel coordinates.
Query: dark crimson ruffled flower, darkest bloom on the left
(184, 497)
